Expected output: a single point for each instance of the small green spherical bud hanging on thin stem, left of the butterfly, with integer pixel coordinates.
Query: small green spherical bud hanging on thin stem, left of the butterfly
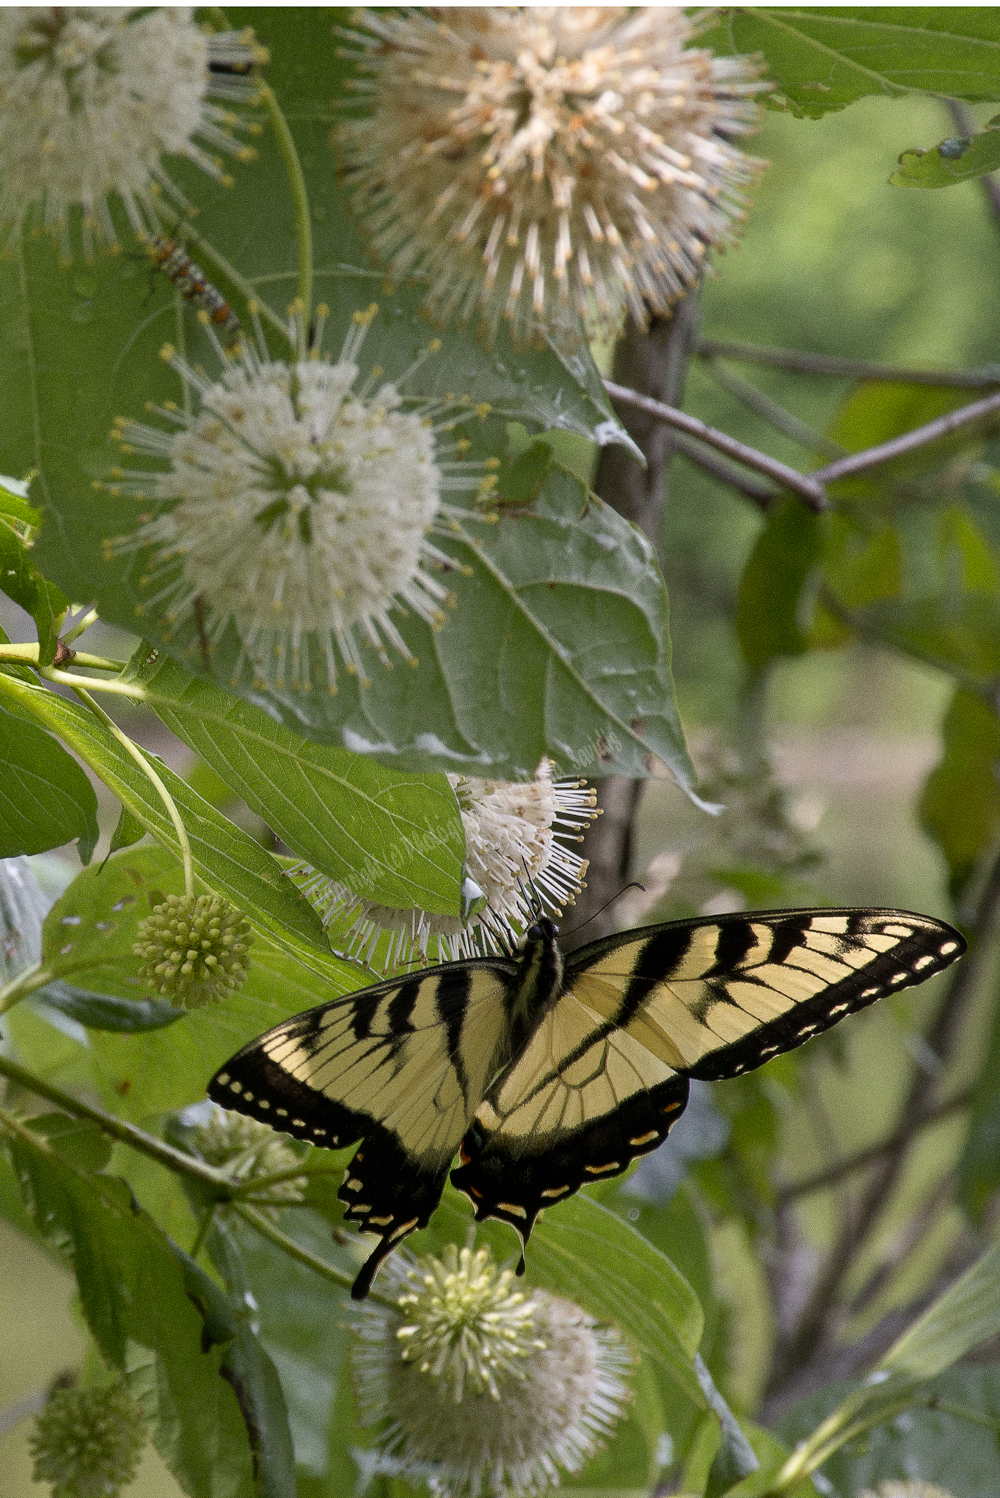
(194, 949)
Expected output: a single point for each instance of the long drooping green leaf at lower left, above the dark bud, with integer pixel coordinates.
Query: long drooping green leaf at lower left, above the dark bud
(155, 1316)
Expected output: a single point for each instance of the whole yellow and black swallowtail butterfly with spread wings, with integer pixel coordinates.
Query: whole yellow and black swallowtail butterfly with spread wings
(546, 1072)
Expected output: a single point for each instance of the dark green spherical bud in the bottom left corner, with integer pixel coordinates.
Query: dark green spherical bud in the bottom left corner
(88, 1442)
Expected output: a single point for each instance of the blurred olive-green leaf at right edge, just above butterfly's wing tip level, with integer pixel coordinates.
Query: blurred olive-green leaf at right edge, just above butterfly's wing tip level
(960, 802)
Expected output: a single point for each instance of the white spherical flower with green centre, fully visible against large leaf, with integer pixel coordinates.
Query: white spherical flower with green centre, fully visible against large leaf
(300, 506)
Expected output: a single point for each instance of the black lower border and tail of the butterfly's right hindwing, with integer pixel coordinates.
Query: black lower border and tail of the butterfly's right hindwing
(514, 1181)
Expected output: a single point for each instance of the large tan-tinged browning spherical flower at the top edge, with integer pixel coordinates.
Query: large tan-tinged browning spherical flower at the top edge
(532, 158)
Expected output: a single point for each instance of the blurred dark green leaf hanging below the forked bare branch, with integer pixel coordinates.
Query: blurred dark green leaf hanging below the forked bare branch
(773, 583)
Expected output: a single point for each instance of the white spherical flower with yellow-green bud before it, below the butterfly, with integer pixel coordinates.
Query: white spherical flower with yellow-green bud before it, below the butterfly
(480, 1388)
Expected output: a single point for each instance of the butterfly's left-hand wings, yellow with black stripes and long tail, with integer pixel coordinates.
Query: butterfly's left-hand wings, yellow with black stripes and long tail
(402, 1066)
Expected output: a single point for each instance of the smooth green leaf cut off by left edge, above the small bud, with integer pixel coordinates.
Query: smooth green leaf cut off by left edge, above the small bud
(46, 799)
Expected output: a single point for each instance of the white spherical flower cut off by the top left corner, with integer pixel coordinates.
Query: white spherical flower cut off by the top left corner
(91, 103)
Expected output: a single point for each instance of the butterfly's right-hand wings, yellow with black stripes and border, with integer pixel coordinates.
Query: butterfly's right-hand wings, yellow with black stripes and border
(606, 1075)
